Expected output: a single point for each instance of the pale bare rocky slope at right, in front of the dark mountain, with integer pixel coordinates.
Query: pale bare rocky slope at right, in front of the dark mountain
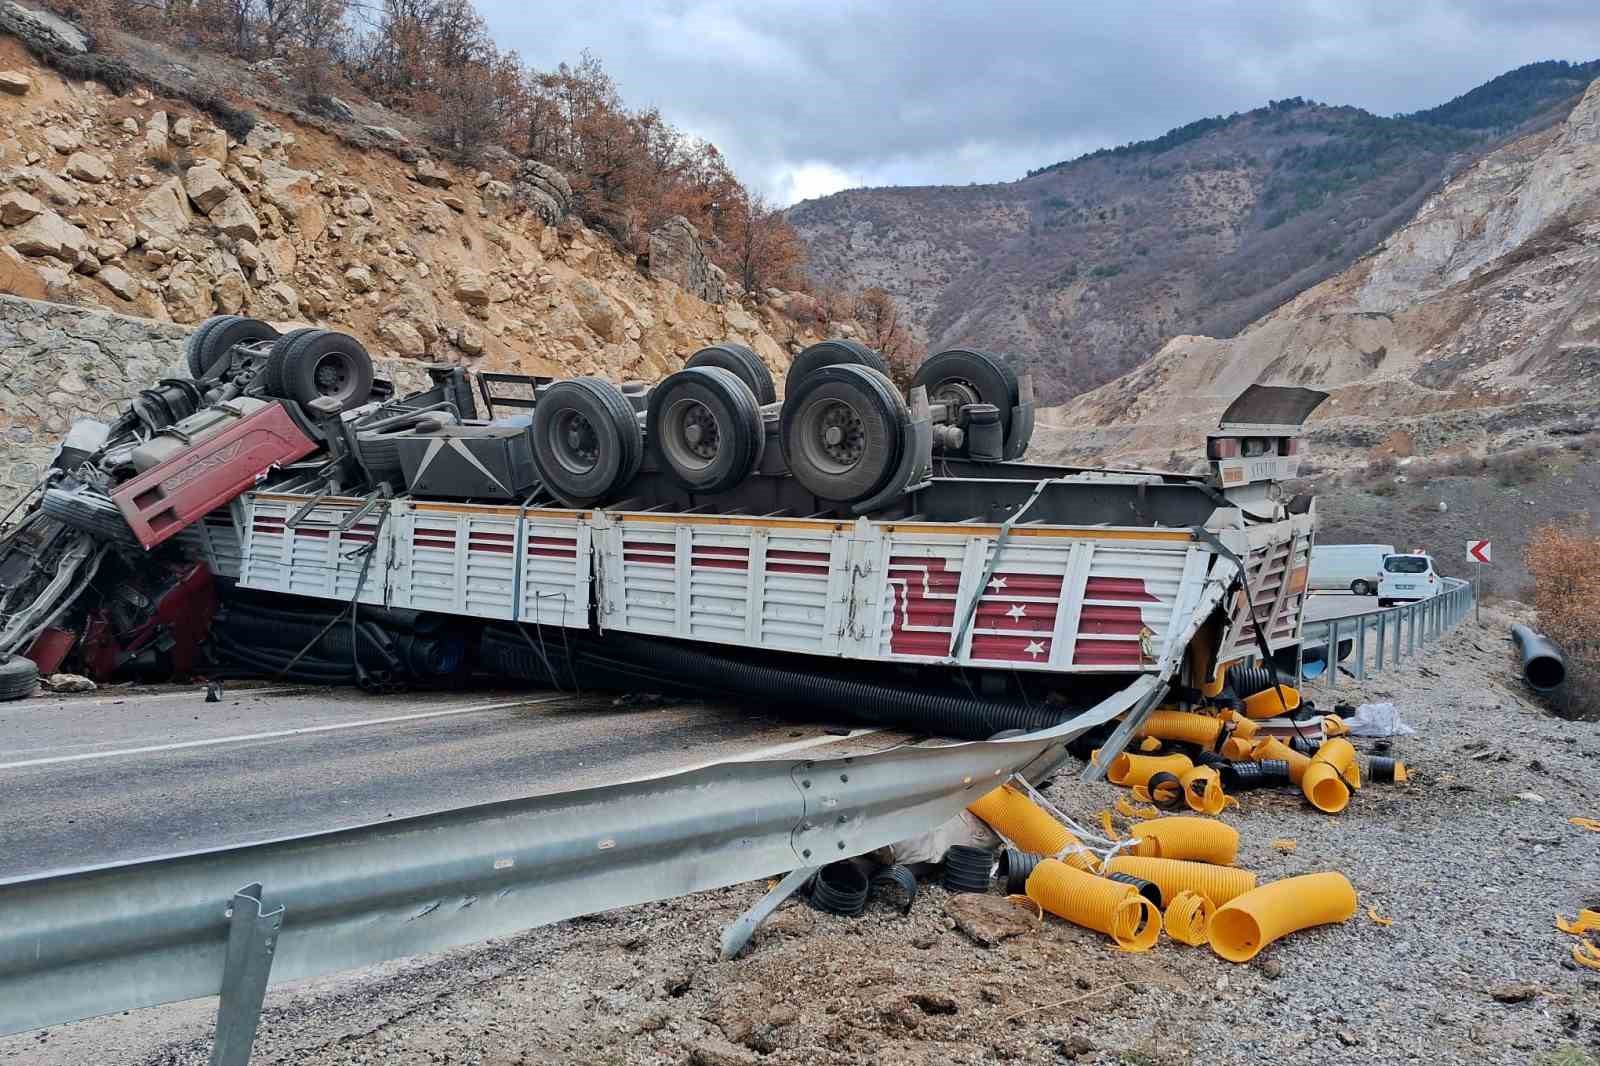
(1473, 329)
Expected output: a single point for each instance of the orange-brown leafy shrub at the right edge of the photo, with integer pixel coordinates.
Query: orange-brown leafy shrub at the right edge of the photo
(1564, 559)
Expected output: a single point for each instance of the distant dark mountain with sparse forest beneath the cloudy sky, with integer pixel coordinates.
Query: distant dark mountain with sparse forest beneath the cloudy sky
(1089, 266)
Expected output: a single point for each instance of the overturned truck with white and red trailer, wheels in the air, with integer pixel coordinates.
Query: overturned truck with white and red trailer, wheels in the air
(850, 548)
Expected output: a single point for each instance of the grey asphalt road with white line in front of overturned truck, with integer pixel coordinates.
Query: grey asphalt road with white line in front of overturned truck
(113, 777)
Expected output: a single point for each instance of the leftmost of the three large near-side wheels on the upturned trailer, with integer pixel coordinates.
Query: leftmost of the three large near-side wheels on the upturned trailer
(586, 439)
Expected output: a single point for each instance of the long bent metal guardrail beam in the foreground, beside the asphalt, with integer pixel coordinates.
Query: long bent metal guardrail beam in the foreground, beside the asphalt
(100, 940)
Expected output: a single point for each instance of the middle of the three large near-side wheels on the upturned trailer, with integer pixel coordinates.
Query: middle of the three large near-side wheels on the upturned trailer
(705, 428)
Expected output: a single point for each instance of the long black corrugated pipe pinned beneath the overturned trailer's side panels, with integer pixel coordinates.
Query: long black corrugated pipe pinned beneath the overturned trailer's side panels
(959, 718)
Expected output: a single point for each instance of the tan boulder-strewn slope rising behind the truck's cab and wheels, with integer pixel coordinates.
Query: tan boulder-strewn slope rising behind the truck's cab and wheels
(142, 204)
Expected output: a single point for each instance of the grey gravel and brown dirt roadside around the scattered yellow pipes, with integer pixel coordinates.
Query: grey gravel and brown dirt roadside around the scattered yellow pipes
(1471, 971)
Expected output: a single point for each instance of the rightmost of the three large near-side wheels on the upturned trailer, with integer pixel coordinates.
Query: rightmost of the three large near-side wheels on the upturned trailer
(842, 431)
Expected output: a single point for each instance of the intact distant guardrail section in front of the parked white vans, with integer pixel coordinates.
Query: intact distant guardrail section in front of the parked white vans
(1385, 638)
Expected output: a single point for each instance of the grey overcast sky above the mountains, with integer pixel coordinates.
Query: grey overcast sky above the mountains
(810, 97)
